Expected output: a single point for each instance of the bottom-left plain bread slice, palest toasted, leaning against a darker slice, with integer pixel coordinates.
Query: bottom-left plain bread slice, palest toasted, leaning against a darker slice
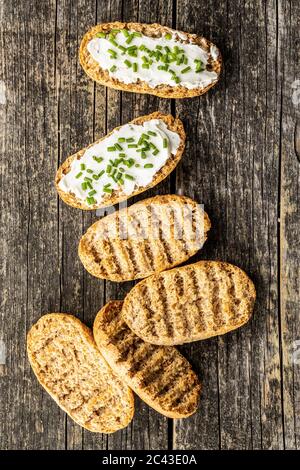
(64, 357)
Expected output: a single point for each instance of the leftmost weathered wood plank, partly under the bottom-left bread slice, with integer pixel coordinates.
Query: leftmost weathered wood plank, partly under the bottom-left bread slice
(30, 276)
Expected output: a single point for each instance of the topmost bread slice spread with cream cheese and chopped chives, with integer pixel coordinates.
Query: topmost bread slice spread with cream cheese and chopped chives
(176, 79)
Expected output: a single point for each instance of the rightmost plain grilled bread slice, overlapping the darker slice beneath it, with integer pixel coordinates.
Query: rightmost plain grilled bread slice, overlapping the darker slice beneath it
(191, 303)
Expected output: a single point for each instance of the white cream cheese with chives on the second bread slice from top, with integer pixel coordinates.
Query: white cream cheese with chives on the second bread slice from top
(127, 159)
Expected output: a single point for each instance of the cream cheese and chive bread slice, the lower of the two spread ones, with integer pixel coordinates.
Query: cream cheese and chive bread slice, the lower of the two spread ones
(117, 194)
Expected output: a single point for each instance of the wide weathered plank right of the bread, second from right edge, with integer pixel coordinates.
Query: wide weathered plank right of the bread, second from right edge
(231, 158)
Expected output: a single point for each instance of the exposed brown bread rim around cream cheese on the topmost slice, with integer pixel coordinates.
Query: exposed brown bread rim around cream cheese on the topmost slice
(93, 70)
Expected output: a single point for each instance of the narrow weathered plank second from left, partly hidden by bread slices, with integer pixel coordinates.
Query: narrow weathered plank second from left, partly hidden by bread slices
(75, 130)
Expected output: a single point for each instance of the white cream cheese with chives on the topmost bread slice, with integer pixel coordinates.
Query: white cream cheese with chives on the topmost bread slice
(130, 56)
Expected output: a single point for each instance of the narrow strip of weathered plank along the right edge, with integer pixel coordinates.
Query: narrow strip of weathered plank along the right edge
(289, 44)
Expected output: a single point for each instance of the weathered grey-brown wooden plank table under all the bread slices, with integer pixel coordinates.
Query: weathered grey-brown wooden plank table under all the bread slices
(240, 161)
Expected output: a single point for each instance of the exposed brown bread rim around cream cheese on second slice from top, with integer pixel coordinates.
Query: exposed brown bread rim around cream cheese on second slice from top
(173, 124)
